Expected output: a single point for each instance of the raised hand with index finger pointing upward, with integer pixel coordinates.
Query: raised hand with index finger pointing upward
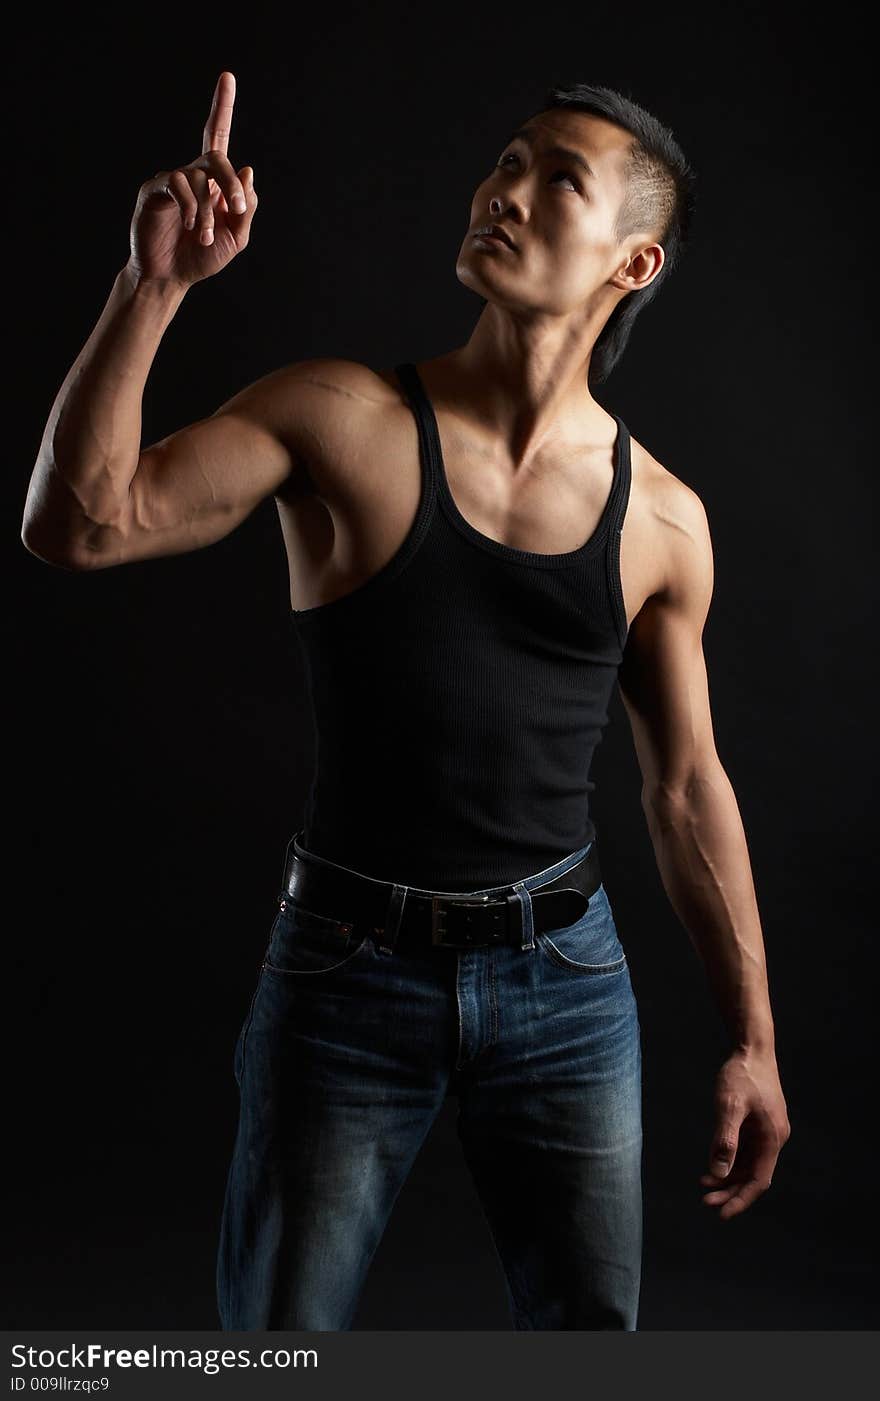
(191, 222)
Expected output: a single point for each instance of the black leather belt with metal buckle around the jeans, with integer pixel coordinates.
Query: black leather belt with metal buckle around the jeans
(425, 918)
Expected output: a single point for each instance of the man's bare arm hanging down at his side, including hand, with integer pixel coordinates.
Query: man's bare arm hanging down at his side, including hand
(701, 850)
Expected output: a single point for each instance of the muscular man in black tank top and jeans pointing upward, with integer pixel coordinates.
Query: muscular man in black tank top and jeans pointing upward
(479, 551)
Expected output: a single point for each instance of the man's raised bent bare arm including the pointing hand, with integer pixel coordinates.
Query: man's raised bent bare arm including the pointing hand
(96, 498)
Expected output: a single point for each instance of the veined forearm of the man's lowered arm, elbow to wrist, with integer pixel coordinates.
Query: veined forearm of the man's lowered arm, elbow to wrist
(703, 860)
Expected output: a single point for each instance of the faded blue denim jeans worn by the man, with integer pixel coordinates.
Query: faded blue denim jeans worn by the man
(344, 1061)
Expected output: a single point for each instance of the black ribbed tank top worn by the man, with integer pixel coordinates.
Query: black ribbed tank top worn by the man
(459, 694)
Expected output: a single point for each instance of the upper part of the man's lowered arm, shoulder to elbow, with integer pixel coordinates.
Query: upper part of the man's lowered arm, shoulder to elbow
(664, 679)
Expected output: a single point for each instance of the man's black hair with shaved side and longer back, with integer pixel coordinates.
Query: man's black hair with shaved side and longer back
(659, 200)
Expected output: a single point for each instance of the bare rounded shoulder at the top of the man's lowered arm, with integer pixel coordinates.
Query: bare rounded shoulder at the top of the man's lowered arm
(679, 525)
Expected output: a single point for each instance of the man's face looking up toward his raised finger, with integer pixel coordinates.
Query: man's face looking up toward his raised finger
(560, 216)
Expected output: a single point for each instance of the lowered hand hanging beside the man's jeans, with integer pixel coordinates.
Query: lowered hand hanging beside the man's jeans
(752, 1129)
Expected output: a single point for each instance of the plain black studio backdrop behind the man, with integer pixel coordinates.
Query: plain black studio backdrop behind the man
(159, 743)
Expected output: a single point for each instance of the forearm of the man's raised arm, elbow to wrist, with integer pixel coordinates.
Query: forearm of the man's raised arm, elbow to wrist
(92, 442)
